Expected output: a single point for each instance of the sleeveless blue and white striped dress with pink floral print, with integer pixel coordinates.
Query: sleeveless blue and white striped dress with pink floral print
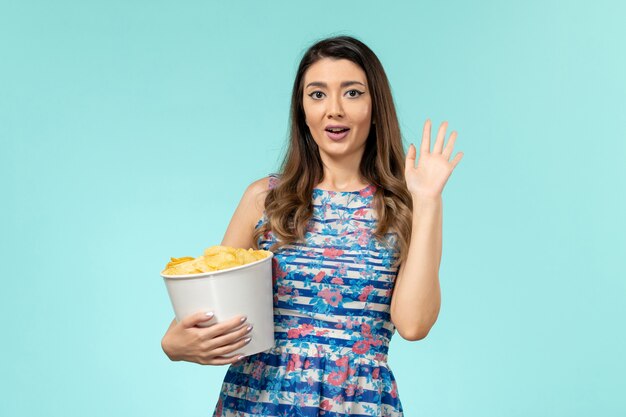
(332, 324)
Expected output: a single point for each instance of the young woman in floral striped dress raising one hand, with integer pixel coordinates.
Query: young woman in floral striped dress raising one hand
(355, 227)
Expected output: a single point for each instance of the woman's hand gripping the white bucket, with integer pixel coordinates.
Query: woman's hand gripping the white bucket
(185, 341)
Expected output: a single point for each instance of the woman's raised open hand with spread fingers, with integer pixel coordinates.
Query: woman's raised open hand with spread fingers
(426, 181)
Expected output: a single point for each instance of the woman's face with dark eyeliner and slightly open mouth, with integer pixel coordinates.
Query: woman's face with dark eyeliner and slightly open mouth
(336, 98)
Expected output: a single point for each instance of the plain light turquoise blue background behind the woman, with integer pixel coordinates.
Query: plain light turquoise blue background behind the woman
(130, 129)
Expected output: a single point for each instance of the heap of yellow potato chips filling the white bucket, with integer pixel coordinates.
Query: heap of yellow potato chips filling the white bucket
(215, 258)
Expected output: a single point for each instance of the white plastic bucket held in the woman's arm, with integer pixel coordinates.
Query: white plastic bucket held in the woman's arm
(245, 290)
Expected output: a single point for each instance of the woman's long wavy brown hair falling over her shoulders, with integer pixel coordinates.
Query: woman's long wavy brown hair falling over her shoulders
(289, 207)
